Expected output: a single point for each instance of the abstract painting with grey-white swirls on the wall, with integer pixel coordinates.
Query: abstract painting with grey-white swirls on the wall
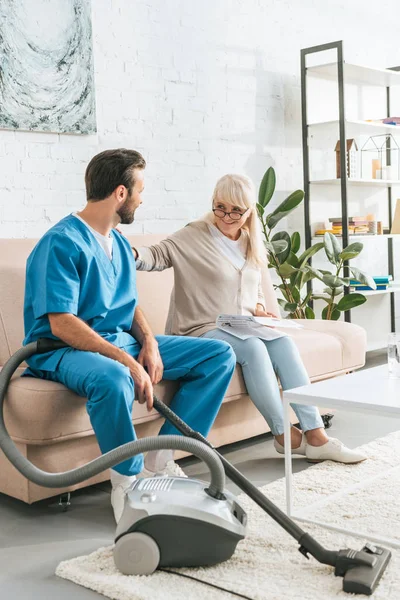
(46, 66)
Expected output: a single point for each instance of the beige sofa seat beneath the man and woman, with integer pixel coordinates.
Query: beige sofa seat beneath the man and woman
(56, 414)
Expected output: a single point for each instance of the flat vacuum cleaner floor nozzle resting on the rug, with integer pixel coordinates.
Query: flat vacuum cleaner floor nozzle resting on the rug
(361, 571)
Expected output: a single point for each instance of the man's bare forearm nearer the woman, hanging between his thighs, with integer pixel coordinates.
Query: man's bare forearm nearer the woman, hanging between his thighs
(149, 356)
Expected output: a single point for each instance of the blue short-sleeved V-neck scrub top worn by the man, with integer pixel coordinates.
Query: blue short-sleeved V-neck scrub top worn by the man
(69, 272)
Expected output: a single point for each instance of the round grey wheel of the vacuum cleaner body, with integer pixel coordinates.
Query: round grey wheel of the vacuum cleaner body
(136, 554)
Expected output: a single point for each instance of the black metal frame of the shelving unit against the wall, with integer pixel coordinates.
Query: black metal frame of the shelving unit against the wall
(338, 46)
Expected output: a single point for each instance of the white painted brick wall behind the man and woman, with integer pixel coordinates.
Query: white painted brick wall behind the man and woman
(201, 88)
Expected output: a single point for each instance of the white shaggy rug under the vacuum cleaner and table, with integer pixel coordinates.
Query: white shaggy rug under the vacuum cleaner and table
(267, 564)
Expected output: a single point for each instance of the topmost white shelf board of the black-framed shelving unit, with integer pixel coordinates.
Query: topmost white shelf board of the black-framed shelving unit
(357, 74)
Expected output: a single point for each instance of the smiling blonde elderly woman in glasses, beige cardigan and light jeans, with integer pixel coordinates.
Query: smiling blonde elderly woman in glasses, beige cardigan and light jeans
(217, 263)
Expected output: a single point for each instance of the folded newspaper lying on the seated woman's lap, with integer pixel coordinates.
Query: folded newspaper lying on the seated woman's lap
(246, 326)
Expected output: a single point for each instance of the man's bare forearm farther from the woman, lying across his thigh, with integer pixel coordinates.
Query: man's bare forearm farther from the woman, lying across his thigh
(77, 334)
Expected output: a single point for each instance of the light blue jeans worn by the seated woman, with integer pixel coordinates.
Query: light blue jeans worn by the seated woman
(261, 361)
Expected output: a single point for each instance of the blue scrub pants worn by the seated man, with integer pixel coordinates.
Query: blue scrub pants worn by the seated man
(204, 368)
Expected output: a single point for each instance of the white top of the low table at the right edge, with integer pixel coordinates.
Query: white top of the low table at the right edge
(368, 389)
